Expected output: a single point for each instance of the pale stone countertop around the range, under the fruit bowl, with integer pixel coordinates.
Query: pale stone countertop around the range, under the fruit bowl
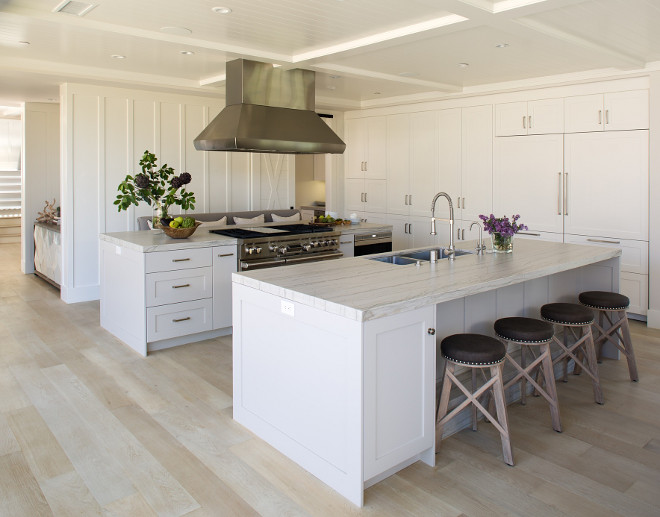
(148, 241)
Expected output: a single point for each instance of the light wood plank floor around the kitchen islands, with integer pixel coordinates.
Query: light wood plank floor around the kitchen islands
(87, 427)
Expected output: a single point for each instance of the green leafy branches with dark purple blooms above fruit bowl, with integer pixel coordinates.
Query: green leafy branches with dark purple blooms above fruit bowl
(157, 186)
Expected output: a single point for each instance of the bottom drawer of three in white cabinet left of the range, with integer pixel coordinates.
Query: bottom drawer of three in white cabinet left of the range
(179, 319)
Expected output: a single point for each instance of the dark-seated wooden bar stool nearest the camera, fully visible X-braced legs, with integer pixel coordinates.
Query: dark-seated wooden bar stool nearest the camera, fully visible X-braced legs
(474, 351)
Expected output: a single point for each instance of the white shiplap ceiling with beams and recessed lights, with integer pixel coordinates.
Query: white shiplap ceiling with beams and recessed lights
(365, 52)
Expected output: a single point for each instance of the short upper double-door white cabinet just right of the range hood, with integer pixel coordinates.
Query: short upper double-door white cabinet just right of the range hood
(365, 148)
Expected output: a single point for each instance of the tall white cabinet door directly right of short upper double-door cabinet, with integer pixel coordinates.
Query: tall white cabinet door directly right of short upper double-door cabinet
(398, 164)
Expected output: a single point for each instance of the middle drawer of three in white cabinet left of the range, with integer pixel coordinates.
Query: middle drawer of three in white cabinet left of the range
(179, 286)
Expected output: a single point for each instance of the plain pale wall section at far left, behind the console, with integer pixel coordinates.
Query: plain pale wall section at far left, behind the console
(41, 170)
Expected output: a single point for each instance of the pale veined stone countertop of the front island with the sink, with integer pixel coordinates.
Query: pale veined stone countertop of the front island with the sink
(363, 289)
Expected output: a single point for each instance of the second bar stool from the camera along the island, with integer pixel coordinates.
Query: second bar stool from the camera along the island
(530, 333)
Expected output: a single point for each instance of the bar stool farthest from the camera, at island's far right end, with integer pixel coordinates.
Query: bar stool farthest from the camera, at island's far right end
(612, 307)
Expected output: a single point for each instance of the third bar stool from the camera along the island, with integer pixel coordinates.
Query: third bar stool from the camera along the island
(572, 316)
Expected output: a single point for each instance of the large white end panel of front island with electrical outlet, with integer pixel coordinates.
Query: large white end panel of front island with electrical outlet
(298, 384)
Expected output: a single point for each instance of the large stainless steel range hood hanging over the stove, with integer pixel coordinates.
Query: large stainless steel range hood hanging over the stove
(269, 111)
